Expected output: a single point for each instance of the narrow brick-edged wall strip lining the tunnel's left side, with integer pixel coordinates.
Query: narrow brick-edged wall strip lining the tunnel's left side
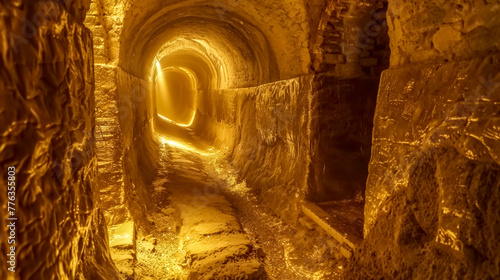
(126, 149)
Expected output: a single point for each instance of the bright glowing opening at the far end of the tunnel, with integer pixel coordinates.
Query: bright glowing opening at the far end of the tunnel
(175, 95)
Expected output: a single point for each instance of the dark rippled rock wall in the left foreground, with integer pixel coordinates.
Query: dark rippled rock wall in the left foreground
(47, 128)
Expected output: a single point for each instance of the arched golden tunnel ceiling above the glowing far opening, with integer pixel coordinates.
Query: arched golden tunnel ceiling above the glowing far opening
(254, 42)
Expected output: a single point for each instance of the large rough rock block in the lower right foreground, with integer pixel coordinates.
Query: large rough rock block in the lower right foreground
(433, 189)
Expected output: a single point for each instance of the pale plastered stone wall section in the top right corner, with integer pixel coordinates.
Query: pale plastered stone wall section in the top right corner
(442, 30)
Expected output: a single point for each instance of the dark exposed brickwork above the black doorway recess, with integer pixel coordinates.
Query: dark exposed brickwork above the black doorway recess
(351, 39)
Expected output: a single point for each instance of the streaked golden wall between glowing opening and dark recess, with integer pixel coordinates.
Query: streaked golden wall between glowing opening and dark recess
(266, 129)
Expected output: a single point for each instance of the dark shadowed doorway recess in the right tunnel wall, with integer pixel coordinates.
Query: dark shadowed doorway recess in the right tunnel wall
(342, 123)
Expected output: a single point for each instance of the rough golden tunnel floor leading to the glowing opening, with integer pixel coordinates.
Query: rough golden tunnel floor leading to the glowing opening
(209, 225)
